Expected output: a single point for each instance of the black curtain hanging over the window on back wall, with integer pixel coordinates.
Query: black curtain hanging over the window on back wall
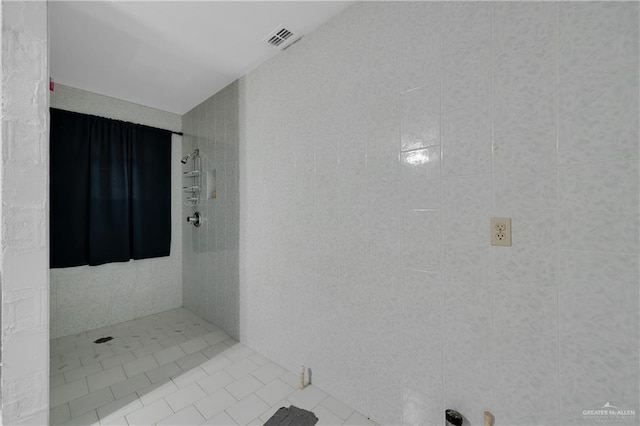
(110, 190)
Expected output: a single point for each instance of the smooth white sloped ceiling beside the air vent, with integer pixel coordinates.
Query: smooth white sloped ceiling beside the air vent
(169, 55)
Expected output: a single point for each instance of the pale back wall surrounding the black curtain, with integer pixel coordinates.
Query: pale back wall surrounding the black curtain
(87, 297)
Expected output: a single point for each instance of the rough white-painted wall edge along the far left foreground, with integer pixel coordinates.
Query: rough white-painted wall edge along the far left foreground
(24, 258)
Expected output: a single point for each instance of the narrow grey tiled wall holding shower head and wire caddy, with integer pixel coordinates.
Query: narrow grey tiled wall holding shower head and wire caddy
(210, 268)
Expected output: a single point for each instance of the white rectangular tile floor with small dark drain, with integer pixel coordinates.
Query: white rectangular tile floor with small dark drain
(174, 368)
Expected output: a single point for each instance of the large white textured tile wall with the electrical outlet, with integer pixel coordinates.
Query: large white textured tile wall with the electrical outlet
(372, 155)
